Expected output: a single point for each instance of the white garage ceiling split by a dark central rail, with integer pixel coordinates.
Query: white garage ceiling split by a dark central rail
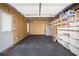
(32, 9)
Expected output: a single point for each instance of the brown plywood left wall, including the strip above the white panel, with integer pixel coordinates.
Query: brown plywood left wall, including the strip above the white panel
(19, 22)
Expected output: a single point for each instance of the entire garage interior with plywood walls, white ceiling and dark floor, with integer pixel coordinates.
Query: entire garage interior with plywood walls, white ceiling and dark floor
(39, 29)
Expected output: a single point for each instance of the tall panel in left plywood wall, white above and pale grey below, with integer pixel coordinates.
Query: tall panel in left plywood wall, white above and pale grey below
(5, 31)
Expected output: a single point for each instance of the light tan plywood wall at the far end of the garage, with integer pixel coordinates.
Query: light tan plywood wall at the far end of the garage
(37, 27)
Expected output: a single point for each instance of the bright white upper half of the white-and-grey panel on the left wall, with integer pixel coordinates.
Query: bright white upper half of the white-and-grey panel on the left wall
(5, 22)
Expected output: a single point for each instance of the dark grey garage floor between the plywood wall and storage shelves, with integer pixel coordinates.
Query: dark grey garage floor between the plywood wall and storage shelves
(38, 46)
